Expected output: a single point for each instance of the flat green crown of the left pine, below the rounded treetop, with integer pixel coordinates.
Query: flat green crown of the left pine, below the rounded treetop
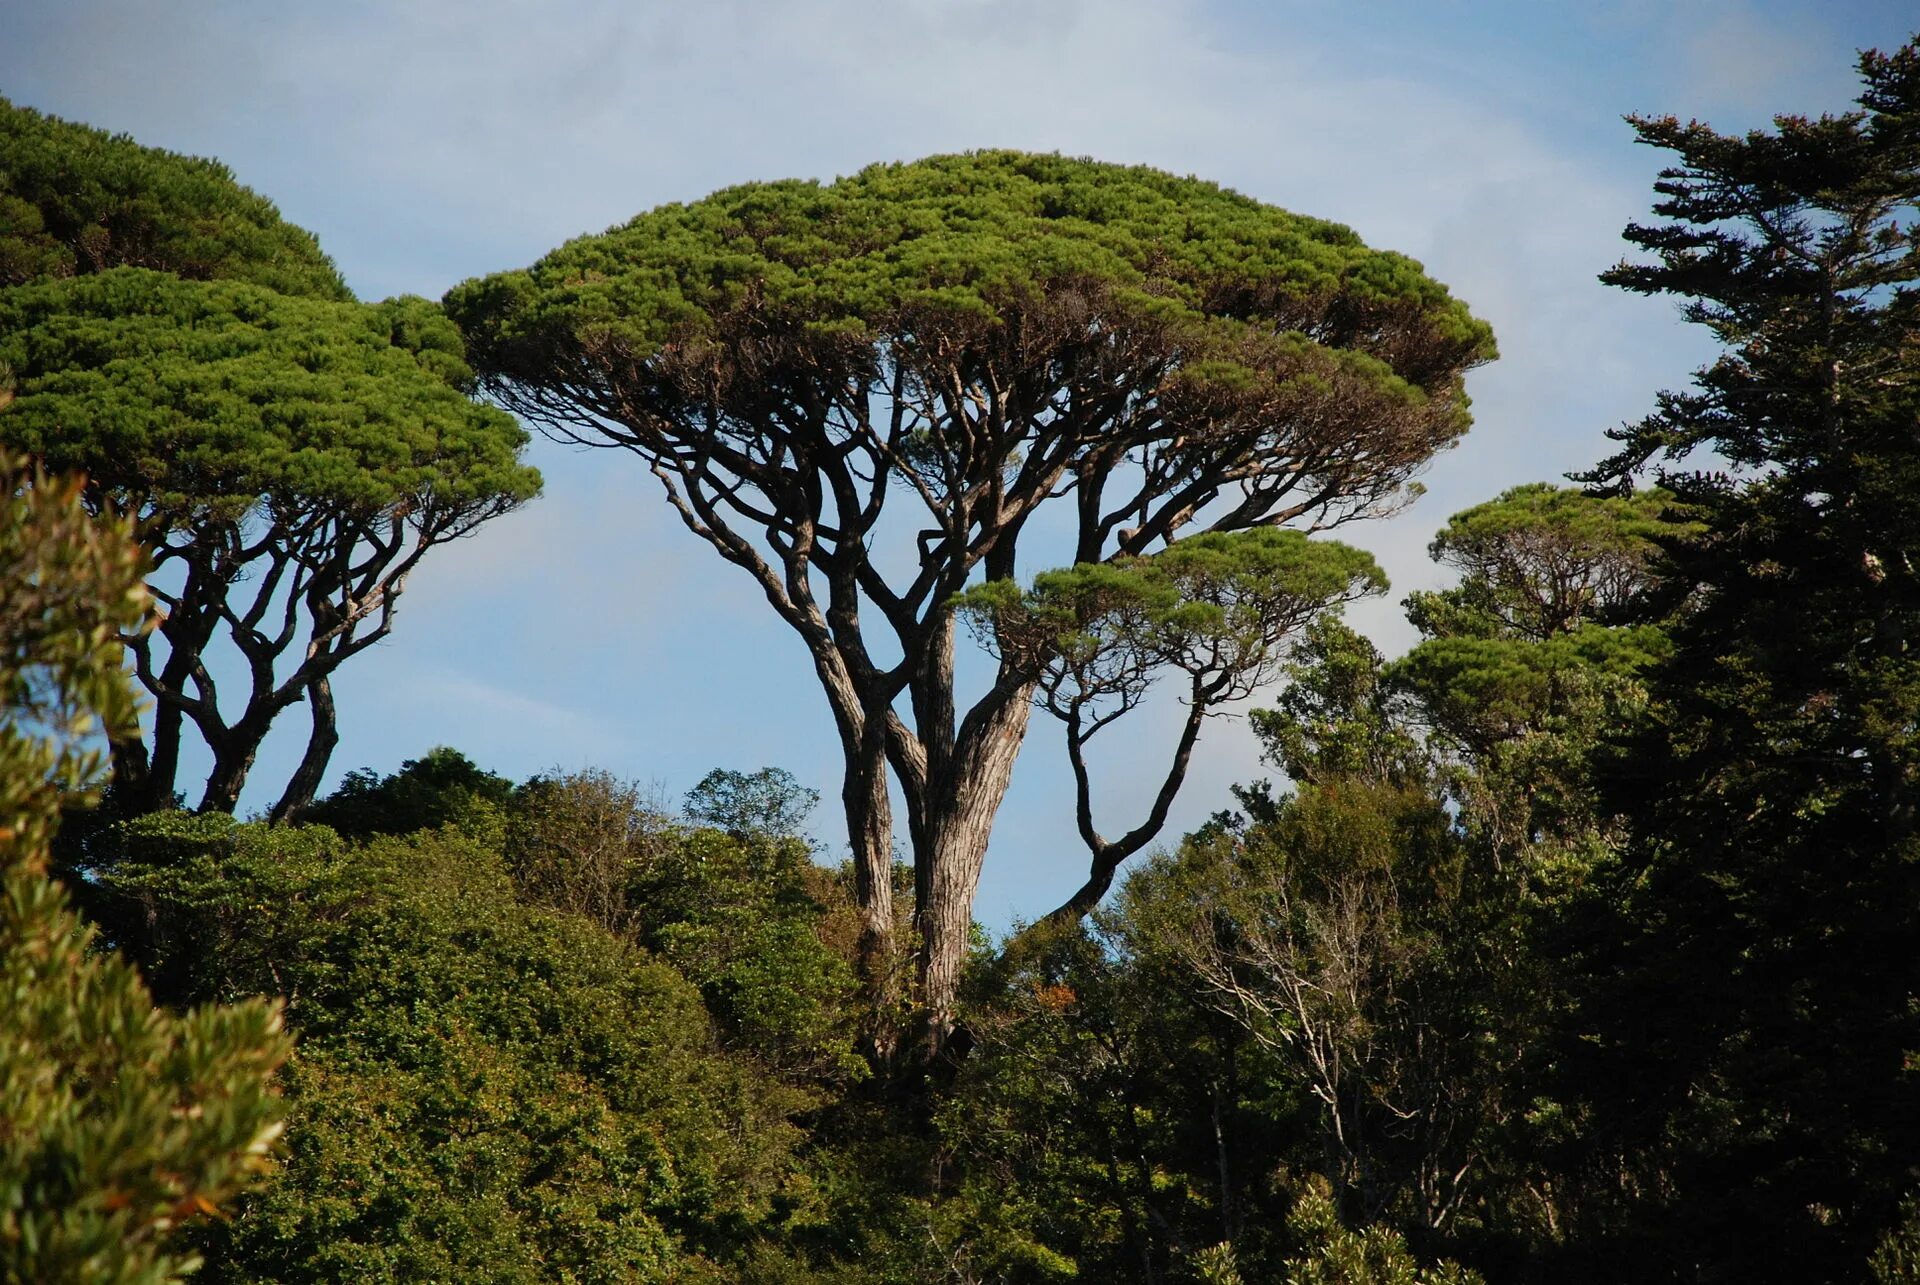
(197, 395)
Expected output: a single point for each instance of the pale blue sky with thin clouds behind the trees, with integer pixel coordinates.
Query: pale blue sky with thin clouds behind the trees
(429, 141)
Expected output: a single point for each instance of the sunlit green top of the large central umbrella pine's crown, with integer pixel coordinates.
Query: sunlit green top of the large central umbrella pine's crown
(934, 251)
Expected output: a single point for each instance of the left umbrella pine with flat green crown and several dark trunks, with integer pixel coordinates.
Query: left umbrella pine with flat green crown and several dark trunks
(293, 460)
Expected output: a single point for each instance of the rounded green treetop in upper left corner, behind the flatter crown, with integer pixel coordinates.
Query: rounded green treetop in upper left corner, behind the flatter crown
(80, 201)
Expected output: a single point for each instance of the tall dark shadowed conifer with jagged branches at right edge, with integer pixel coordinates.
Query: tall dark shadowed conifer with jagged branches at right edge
(1748, 1034)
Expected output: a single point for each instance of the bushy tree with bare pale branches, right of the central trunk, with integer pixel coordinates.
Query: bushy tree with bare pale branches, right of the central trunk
(1345, 934)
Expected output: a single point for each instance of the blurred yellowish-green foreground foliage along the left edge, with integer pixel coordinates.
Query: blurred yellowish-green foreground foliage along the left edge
(122, 1123)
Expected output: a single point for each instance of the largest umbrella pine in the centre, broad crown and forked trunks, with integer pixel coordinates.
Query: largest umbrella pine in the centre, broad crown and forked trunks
(876, 393)
